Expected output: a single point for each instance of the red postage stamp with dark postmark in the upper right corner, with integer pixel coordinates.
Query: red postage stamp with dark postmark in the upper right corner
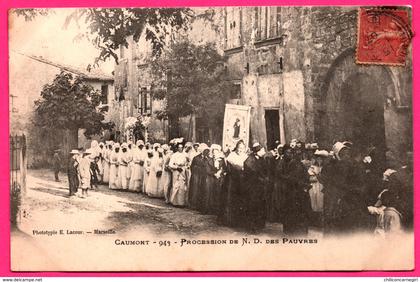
(383, 36)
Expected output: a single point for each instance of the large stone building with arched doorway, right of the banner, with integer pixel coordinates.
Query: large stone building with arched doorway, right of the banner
(295, 67)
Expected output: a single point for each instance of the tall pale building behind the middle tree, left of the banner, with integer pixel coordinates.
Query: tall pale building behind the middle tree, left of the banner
(134, 87)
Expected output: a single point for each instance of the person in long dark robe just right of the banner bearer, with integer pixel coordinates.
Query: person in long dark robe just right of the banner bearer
(255, 176)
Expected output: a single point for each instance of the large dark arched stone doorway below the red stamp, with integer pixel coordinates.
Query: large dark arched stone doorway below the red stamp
(352, 105)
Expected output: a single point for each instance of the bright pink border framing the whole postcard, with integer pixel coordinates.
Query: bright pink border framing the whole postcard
(4, 144)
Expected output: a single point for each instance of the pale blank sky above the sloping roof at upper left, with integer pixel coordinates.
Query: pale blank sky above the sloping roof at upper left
(46, 36)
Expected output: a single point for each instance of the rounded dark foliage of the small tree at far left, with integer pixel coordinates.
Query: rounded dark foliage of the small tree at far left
(69, 103)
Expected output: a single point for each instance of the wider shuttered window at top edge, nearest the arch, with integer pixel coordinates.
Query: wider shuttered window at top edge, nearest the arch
(267, 22)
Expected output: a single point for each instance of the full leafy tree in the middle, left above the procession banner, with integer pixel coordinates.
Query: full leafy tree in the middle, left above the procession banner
(192, 80)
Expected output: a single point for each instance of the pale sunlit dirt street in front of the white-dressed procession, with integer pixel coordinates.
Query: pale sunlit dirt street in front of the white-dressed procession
(47, 203)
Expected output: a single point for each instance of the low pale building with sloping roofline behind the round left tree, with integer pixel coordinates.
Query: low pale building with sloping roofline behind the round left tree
(28, 74)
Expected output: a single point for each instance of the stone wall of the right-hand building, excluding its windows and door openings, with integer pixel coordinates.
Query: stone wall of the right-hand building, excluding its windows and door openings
(311, 61)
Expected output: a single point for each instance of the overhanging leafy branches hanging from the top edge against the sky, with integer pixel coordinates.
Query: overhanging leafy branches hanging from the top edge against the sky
(109, 28)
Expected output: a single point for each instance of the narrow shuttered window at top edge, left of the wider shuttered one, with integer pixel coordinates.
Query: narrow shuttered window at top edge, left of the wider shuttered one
(233, 27)
